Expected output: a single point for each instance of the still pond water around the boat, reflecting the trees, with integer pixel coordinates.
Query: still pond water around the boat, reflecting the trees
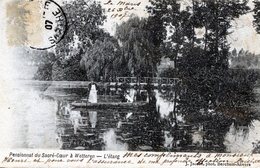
(38, 121)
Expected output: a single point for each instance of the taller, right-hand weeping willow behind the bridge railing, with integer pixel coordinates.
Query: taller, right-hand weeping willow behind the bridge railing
(140, 54)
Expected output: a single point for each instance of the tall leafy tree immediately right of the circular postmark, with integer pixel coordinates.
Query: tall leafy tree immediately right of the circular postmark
(84, 19)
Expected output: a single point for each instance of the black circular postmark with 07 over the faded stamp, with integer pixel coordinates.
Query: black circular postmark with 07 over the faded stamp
(53, 25)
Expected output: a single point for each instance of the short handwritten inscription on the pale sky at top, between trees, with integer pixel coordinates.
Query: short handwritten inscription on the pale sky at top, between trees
(120, 9)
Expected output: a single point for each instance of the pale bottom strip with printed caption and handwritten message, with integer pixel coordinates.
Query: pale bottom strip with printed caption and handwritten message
(150, 159)
